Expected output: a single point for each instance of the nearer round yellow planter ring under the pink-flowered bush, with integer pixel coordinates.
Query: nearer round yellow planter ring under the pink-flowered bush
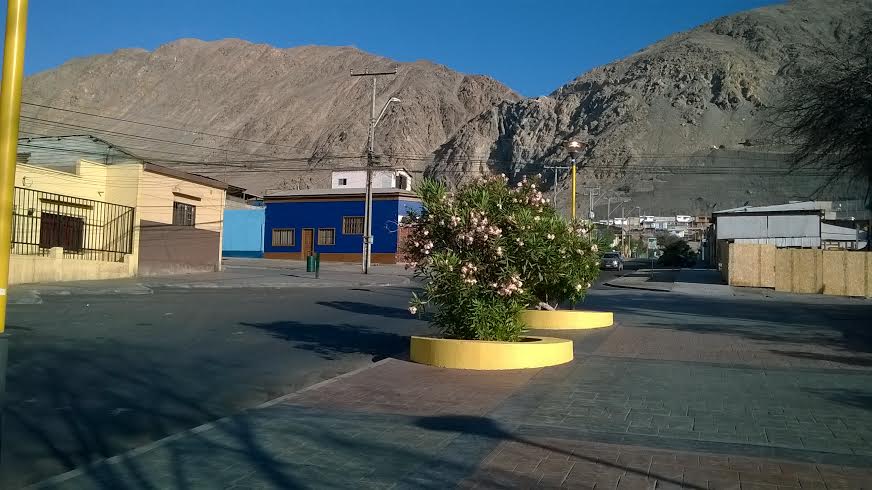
(531, 352)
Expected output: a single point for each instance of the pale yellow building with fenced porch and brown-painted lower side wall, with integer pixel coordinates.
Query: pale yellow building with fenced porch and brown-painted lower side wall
(85, 209)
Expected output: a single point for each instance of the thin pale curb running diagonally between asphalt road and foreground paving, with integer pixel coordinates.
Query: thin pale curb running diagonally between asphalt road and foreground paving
(118, 458)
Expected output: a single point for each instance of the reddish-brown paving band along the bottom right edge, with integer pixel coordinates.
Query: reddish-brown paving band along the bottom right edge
(553, 463)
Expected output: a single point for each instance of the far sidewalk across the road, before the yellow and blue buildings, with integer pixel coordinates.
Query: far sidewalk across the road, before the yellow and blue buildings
(237, 273)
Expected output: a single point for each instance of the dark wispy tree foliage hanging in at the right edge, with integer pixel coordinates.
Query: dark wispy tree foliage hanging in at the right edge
(826, 110)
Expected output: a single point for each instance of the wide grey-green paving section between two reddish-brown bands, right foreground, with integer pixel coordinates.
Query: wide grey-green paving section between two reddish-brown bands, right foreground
(776, 407)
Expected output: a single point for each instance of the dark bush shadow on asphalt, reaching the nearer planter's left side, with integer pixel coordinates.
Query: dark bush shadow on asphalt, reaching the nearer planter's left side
(329, 341)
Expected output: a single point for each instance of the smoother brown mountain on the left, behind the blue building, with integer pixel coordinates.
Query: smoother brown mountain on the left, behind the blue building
(290, 114)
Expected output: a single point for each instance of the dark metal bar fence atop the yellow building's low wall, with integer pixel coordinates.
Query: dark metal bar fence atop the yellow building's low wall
(85, 229)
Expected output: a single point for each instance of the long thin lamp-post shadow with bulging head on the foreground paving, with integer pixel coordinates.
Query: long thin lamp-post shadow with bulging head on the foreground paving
(487, 427)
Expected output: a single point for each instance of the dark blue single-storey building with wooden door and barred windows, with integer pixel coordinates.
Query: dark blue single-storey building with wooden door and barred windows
(330, 221)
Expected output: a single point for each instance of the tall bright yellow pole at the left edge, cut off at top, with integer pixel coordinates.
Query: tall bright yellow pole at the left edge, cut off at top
(10, 109)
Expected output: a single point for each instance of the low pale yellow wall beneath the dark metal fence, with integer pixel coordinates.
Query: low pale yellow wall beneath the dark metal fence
(24, 269)
